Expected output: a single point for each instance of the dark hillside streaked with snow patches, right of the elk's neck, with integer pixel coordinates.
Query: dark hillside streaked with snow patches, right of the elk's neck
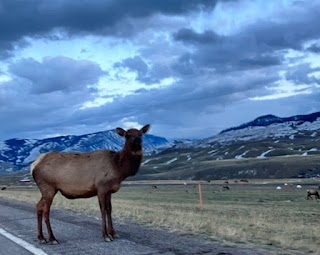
(268, 147)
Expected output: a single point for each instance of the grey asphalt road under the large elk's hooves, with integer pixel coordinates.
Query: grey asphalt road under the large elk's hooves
(80, 234)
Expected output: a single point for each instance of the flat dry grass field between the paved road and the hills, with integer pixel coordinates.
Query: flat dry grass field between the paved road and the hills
(252, 214)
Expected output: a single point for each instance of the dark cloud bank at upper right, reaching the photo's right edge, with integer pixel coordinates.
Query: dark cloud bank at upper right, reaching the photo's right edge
(258, 45)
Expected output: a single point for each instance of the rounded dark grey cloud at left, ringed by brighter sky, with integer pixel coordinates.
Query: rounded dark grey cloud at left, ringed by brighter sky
(56, 74)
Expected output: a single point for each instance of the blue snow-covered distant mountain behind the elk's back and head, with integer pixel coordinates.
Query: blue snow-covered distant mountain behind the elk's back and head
(21, 152)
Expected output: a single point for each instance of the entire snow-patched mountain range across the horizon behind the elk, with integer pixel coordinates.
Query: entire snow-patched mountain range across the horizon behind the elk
(267, 147)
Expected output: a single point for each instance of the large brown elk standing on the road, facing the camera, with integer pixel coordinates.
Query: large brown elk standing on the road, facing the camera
(98, 173)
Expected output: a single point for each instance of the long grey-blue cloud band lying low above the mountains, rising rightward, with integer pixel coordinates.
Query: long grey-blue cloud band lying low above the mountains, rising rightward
(194, 99)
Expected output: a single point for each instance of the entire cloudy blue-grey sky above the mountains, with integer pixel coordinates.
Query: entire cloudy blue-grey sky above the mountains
(189, 68)
